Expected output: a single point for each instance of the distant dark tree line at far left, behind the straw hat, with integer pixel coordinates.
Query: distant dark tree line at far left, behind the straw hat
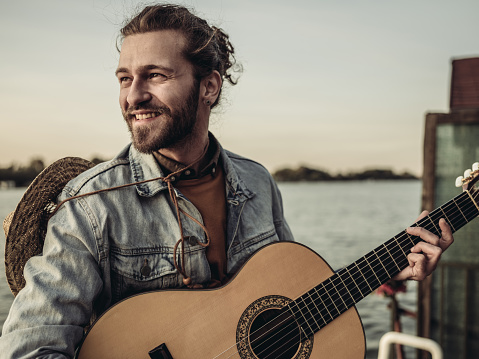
(22, 176)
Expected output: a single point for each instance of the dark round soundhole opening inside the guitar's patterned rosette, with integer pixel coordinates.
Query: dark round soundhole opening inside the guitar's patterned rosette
(274, 334)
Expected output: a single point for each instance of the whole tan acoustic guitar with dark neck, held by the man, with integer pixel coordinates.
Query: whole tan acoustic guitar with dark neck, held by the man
(286, 302)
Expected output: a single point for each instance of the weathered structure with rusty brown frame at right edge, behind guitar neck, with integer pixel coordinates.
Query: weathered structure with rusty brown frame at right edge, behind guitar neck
(448, 301)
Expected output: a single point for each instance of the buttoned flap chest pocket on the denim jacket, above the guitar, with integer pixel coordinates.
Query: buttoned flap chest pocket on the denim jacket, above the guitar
(140, 270)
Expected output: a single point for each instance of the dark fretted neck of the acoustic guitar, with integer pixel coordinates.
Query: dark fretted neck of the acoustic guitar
(322, 304)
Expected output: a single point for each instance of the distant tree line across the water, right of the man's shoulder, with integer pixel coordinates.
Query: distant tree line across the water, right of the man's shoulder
(309, 174)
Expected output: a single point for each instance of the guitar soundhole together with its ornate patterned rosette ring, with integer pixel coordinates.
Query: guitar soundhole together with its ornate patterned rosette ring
(266, 330)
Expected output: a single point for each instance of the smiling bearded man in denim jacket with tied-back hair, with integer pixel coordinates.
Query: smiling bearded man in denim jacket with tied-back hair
(205, 214)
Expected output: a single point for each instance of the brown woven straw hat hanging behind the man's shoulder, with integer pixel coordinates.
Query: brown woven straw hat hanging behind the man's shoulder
(26, 227)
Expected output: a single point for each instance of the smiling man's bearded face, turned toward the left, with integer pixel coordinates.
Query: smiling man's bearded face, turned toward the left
(158, 92)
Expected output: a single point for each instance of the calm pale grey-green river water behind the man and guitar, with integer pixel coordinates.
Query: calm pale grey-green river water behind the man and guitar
(341, 221)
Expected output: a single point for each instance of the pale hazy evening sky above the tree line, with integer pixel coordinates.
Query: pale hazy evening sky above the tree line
(335, 85)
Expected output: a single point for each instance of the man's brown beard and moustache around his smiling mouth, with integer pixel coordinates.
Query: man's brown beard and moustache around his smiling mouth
(176, 124)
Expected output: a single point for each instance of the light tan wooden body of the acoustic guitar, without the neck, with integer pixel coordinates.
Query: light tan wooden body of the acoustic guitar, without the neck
(208, 323)
